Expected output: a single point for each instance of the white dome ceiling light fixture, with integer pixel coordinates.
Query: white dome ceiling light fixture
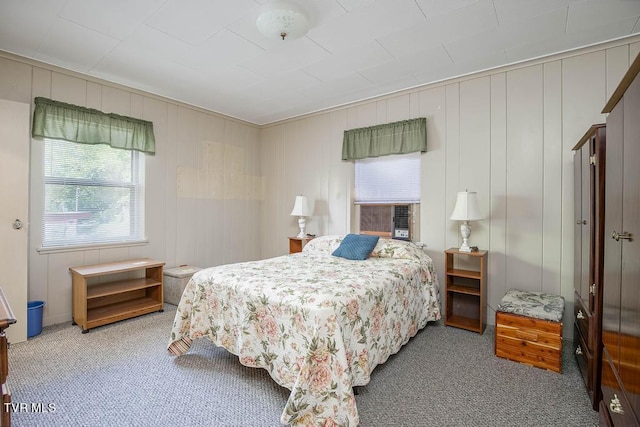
(282, 19)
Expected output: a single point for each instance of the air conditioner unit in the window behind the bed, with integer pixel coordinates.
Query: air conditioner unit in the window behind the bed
(391, 221)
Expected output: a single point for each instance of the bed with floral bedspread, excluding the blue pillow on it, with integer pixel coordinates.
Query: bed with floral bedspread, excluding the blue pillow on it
(318, 323)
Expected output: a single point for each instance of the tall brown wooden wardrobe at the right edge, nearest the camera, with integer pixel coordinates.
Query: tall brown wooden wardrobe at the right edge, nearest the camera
(620, 382)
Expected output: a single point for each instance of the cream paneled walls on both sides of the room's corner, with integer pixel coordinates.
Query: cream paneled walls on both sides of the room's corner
(219, 190)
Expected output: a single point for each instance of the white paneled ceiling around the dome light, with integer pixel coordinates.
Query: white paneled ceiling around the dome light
(209, 53)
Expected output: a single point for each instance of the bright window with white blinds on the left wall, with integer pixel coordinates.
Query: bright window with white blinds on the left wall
(93, 194)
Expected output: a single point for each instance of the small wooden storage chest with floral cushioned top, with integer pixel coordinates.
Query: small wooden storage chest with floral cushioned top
(529, 329)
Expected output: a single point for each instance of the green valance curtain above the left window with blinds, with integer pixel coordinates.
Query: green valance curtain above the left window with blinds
(58, 120)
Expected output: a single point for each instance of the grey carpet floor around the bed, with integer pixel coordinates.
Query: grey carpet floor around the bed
(121, 375)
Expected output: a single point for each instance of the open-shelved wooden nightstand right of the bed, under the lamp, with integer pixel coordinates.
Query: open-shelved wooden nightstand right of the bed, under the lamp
(466, 292)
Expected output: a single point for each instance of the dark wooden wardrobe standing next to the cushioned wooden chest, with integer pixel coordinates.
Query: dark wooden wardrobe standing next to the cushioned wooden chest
(589, 176)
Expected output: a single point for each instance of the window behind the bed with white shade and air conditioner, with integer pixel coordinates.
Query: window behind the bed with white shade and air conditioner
(388, 191)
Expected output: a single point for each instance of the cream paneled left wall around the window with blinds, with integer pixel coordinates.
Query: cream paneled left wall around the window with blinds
(204, 185)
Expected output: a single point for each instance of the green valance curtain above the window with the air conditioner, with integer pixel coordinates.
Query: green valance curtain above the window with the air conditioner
(406, 136)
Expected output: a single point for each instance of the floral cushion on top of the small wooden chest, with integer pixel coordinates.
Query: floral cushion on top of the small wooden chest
(538, 305)
